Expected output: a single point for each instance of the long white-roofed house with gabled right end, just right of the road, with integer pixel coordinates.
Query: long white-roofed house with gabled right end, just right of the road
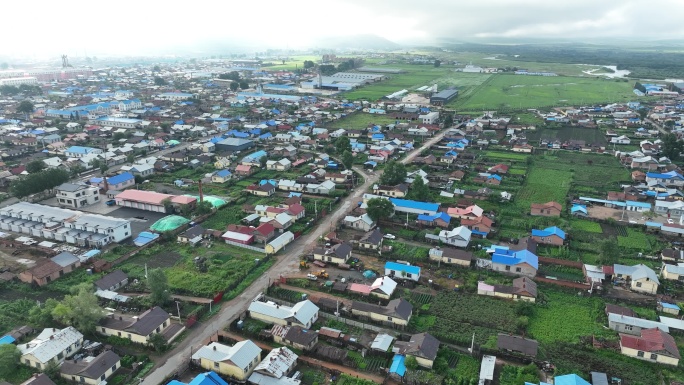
(303, 313)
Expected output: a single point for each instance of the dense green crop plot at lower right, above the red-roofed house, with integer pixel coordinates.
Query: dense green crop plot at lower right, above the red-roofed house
(577, 315)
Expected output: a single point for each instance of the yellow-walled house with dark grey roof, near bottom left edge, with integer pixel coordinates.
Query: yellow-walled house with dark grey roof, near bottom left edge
(91, 372)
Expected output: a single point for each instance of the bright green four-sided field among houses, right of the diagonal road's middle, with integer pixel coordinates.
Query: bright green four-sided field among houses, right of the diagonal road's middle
(544, 185)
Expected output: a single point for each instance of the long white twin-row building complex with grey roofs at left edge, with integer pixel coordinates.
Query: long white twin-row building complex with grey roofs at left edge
(63, 225)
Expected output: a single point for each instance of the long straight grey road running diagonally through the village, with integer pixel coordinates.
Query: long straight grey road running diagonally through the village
(287, 262)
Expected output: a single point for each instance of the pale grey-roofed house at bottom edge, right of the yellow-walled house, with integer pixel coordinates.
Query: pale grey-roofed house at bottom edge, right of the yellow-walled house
(274, 368)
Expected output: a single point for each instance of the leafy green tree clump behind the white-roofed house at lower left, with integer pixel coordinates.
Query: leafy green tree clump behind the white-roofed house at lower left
(80, 309)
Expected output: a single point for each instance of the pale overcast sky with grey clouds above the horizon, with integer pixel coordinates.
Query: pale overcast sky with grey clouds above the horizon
(79, 27)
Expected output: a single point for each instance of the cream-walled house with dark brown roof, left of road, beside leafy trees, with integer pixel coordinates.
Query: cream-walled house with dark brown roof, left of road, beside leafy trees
(139, 329)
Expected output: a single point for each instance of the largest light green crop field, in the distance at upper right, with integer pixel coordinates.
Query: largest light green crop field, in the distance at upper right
(522, 92)
